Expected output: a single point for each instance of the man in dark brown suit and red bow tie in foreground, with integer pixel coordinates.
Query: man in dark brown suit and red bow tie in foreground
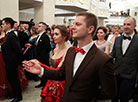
(88, 72)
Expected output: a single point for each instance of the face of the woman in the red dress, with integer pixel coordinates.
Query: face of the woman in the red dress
(58, 38)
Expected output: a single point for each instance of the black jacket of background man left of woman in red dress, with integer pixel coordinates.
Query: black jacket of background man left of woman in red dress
(43, 49)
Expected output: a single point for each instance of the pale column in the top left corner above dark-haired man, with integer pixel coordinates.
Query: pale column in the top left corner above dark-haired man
(9, 8)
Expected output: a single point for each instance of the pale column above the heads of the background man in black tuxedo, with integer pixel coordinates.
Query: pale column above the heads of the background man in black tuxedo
(45, 12)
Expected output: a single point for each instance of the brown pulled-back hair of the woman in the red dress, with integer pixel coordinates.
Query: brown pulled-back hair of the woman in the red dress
(63, 30)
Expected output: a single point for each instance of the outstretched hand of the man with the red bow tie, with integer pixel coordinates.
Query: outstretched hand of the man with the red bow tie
(32, 66)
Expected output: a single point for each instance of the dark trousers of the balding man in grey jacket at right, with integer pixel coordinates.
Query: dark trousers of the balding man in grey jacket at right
(125, 89)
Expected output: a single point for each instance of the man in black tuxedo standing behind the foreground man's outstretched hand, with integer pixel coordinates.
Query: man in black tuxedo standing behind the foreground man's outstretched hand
(43, 48)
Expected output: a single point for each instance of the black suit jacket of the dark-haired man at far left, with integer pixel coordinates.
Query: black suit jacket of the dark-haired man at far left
(11, 51)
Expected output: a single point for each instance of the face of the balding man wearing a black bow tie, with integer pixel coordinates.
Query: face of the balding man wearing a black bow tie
(129, 26)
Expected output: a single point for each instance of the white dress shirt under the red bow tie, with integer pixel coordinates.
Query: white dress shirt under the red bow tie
(79, 57)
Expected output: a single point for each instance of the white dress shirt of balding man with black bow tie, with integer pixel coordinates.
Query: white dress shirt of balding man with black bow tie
(126, 43)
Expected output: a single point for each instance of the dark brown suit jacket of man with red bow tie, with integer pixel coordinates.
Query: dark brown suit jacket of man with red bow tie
(95, 70)
